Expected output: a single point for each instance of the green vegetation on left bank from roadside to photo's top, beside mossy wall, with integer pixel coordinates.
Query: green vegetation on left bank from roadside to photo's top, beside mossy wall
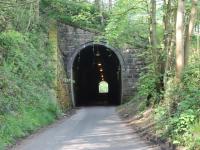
(27, 72)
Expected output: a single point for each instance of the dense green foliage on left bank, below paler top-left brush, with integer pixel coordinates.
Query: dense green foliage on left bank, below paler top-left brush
(27, 100)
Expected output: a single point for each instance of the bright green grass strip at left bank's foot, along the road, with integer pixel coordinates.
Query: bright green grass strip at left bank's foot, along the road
(21, 124)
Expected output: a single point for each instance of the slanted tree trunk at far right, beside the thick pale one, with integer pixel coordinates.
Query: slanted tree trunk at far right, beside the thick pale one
(190, 27)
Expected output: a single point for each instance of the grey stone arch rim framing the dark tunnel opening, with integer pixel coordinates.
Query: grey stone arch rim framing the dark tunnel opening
(82, 47)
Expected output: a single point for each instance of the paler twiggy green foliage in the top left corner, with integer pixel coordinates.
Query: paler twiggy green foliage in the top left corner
(18, 15)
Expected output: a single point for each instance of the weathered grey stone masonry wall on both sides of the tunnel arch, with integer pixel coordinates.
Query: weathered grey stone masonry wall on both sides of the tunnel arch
(71, 38)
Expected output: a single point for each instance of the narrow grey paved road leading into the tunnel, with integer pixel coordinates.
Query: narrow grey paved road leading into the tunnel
(91, 128)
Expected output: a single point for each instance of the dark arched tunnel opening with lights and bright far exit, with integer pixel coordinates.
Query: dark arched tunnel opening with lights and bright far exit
(96, 77)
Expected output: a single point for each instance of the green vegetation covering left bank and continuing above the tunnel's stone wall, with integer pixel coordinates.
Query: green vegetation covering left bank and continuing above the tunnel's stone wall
(29, 65)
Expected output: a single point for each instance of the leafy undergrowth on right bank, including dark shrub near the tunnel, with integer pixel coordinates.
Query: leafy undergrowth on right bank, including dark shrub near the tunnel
(177, 114)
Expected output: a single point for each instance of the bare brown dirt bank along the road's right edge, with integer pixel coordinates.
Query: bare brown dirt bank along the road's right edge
(144, 124)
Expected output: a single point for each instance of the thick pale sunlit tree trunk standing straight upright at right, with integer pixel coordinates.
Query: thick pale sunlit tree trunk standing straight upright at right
(180, 39)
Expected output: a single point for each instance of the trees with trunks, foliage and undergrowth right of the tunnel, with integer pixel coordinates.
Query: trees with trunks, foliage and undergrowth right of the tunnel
(169, 83)
